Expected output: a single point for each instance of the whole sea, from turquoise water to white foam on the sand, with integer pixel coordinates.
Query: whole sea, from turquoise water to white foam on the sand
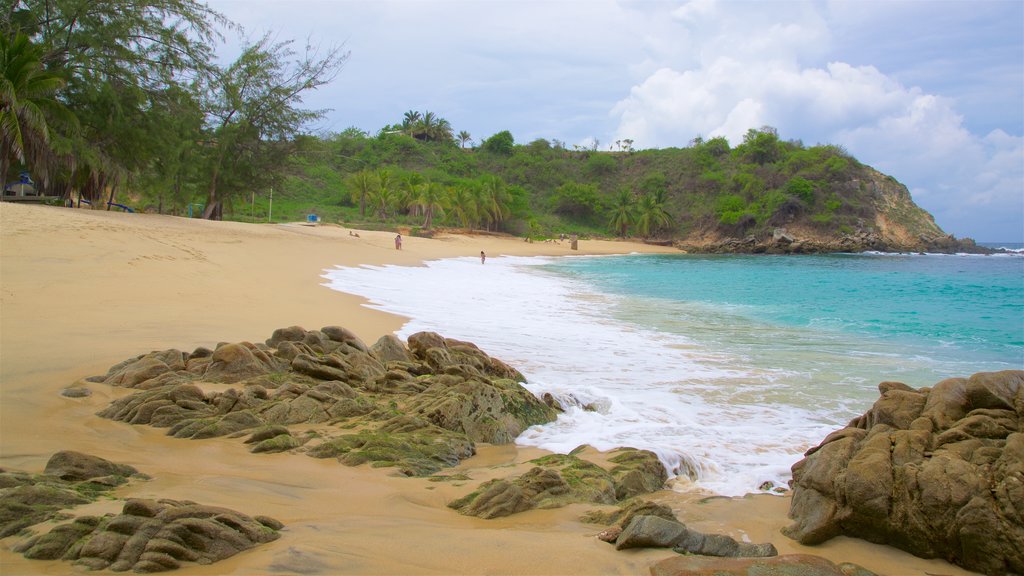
(728, 367)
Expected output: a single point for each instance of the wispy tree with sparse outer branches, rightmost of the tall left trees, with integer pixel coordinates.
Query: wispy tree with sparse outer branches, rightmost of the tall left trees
(254, 113)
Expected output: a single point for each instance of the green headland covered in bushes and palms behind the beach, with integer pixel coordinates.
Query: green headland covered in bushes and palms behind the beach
(764, 195)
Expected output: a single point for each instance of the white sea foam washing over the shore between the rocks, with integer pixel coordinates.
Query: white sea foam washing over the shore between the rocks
(717, 422)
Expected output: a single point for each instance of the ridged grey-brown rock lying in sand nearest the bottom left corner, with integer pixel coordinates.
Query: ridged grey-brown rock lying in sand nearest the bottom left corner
(153, 537)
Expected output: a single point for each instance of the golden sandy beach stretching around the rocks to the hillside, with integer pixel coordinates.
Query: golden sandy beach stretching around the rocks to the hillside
(81, 291)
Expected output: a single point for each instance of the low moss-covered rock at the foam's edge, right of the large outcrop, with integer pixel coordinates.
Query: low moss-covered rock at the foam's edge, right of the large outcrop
(562, 479)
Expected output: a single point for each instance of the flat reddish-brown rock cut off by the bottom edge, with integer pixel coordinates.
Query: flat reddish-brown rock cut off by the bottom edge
(789, 565)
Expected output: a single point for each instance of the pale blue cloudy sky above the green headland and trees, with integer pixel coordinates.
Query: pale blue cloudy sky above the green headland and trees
(930, 93)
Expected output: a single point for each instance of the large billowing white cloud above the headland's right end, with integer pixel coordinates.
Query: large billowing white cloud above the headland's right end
(751, 74)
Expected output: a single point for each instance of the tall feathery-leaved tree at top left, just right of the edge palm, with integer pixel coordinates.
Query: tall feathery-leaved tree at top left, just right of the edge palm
(120, 62)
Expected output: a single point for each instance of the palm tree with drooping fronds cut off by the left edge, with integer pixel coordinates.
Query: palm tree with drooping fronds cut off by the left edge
(26, 104)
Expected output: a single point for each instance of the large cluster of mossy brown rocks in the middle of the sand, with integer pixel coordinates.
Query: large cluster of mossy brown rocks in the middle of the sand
(417, 408)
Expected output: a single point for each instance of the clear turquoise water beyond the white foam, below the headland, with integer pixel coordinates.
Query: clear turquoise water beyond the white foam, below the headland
(965, 313)
